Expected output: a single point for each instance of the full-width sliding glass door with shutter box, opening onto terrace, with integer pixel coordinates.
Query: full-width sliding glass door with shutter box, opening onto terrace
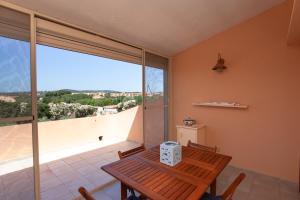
(112, 110)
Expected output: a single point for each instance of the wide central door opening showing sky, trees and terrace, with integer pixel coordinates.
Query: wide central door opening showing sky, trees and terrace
(85, 104)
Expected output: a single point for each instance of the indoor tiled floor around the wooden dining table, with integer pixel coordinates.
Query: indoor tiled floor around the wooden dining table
(255, 187)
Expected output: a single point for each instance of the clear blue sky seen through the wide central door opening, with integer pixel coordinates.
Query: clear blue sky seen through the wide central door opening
(62, 69)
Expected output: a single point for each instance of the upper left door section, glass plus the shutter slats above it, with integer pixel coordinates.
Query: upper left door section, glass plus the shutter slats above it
(15, 90)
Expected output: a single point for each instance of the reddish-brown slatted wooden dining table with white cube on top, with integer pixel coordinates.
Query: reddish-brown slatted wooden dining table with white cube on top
(189, 179)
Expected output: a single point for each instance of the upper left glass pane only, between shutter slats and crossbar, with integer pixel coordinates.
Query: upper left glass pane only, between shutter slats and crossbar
(15, 90)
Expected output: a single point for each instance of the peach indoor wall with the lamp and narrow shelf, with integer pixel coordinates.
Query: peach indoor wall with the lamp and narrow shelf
(264, 73)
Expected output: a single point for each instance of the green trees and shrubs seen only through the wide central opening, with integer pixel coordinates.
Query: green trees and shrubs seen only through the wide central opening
(63, 104)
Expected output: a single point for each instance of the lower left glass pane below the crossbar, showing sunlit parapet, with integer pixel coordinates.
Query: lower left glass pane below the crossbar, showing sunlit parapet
(16, 164)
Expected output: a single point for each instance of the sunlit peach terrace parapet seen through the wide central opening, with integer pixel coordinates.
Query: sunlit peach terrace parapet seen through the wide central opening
(72, 132)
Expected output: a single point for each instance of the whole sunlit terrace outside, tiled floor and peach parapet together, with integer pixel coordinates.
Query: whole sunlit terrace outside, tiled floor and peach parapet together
(70, 154)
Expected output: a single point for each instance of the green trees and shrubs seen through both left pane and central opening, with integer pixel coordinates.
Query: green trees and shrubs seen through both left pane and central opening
(62, 104)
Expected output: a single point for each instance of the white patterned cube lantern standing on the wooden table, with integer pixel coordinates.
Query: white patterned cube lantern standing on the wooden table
(170, 153)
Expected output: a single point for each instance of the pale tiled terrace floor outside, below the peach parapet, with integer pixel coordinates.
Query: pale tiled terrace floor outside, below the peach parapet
(60, 179)
